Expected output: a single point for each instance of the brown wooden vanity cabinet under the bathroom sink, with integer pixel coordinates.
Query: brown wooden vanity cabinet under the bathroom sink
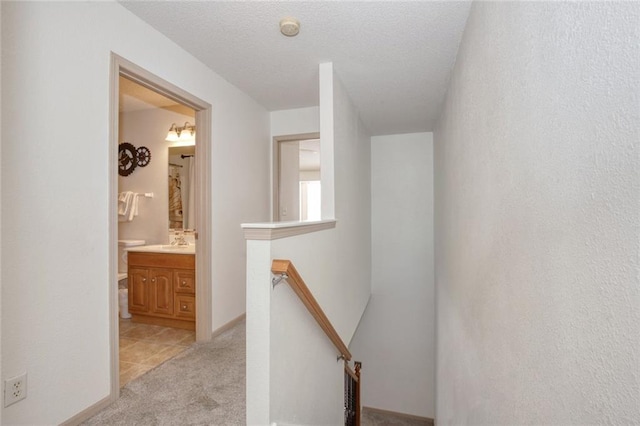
(162, 289)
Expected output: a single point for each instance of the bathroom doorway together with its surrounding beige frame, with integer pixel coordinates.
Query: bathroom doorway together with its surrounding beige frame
(145, 110)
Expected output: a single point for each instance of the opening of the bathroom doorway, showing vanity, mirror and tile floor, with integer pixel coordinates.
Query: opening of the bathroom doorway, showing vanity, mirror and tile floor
(156, 193)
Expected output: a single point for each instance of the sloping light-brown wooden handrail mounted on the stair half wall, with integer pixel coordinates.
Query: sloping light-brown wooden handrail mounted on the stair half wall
(296, 282)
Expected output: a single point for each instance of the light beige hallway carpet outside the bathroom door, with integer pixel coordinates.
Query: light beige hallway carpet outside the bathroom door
(204, 385)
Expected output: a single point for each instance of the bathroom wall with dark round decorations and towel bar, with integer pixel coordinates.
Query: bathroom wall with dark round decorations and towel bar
(149, 128)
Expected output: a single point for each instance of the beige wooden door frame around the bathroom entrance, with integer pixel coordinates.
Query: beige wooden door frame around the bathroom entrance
(121, 66)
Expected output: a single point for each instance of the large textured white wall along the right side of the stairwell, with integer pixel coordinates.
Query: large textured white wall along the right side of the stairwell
(537, 195)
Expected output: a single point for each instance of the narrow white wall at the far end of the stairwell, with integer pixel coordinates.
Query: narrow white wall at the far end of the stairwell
(396, 337)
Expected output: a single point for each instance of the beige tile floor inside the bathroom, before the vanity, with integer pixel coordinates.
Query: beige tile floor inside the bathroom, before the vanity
(144, 346)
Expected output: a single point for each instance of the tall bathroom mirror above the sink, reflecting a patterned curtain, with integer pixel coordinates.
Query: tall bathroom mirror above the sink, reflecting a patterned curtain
(181, 187)
